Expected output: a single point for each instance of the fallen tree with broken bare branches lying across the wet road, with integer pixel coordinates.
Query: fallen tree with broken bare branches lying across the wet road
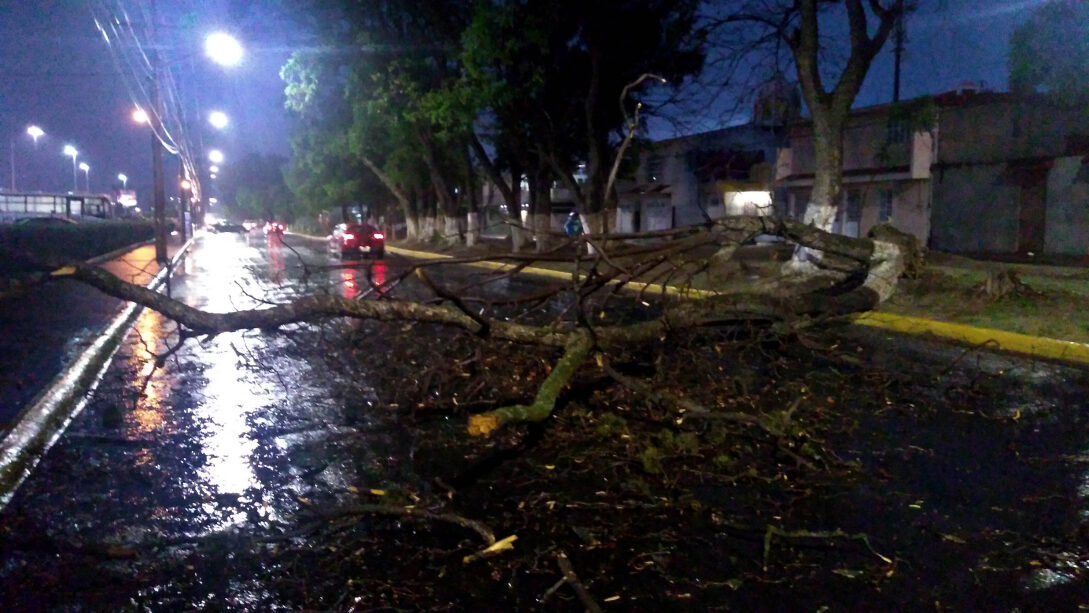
(860, 274)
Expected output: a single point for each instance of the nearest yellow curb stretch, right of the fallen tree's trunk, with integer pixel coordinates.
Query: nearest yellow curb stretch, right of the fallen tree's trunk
(1039, 347)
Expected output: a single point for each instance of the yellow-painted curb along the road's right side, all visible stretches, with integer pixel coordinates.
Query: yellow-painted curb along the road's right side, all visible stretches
(1041, 347)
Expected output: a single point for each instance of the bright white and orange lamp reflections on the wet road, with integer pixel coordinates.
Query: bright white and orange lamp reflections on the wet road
(228, 431)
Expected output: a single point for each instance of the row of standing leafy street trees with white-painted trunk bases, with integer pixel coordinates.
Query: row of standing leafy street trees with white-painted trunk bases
(412, 106)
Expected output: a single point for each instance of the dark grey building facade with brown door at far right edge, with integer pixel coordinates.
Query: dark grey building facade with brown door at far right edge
(1011, 177)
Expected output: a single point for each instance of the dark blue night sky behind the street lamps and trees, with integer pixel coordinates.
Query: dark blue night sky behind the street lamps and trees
(57, 72)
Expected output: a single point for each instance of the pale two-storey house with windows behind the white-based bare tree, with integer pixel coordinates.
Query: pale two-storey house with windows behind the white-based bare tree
(888, 154)
